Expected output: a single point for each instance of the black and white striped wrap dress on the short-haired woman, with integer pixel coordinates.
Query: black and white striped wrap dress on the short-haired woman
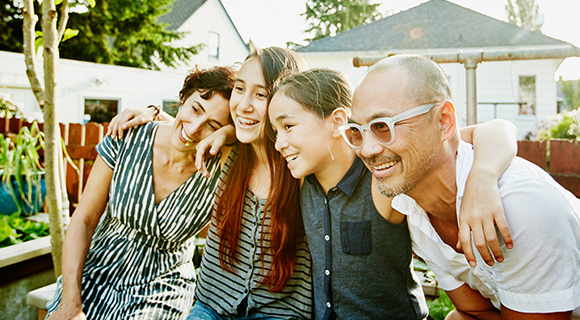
(139, 264)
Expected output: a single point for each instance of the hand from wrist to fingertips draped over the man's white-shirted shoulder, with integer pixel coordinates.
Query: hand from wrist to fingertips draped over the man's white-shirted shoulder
(481, 211)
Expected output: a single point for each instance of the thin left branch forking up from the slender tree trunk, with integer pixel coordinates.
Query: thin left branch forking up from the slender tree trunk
(29, 36)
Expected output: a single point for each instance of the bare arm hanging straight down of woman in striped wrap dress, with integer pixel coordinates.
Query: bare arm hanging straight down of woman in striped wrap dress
(78, 239)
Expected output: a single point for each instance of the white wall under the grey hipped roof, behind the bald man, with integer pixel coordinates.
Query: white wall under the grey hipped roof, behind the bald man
(496, 82)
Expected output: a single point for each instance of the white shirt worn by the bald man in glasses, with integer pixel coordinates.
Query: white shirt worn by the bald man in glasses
(541, 273)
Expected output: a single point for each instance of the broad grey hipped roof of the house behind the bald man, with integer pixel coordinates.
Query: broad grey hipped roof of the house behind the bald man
(436, 24)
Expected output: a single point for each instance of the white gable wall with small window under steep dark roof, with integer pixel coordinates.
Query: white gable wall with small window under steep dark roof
(211, 17)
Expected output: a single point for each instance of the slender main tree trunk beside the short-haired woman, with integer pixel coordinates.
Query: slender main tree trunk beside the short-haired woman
(52, 131)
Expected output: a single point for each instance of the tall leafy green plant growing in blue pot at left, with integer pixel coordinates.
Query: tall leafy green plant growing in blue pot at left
(21, 168)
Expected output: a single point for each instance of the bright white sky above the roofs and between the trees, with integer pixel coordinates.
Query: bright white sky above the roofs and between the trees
(274, 22)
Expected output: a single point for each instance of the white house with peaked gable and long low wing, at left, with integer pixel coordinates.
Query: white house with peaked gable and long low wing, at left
(97, 89)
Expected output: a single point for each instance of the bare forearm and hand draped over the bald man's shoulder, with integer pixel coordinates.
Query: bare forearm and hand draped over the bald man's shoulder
(495, 145)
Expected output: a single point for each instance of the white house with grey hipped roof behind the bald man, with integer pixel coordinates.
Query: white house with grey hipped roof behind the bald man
(523, 92)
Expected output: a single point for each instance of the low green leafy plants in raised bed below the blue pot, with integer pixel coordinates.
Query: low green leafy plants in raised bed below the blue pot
(14, 230)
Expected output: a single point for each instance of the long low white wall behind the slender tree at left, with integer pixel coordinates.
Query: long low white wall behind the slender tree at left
(133, 87)
